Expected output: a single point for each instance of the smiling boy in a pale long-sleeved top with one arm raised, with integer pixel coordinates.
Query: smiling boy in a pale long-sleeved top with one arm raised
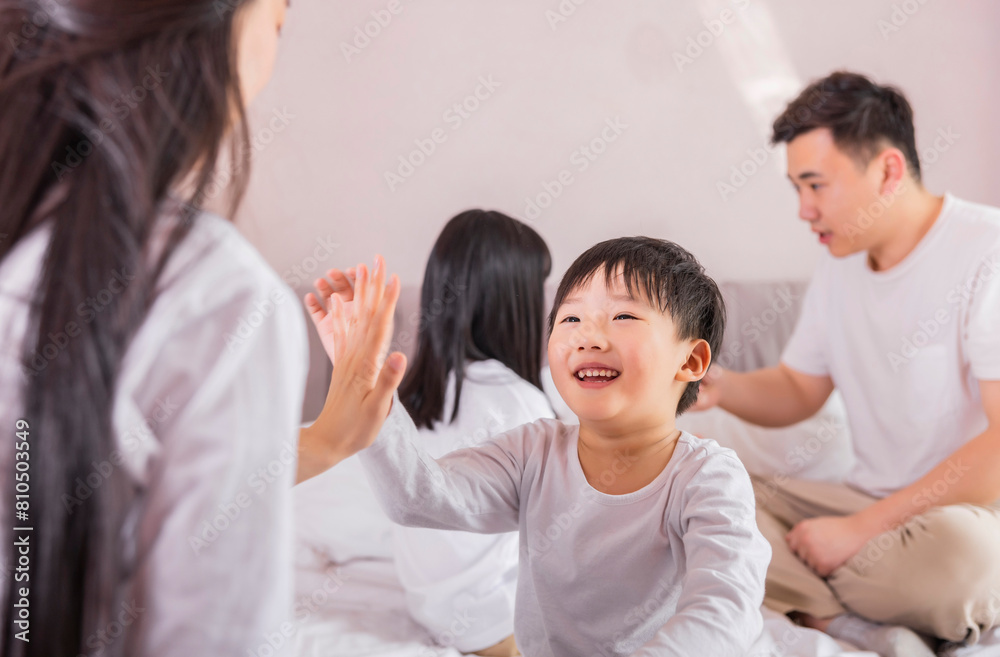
(635, 538)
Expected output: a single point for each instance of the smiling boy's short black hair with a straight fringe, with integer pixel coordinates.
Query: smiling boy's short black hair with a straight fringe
(668, 276)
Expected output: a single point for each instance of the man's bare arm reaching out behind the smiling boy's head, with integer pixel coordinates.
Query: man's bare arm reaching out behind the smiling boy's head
(771, 397)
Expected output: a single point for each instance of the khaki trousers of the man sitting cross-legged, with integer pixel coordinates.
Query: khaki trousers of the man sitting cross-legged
(938, 573)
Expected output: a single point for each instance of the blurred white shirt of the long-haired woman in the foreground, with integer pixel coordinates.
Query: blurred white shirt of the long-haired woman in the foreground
(206, 415)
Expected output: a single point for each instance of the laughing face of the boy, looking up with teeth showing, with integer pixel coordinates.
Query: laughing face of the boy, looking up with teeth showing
(635, 345)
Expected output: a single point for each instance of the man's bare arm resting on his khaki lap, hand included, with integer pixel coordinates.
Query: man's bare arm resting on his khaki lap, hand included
(971, 475)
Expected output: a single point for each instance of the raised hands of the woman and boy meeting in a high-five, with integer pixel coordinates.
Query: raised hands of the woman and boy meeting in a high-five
(356, 333)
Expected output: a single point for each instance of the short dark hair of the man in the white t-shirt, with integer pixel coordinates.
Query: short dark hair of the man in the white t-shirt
(863, 117)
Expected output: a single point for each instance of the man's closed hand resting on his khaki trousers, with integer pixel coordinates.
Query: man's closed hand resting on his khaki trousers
(826, 543)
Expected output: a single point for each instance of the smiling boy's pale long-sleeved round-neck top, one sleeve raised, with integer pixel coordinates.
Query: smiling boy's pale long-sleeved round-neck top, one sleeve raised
(676, 568)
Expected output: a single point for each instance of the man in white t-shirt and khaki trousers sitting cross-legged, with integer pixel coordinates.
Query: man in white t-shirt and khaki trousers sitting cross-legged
(904, 320)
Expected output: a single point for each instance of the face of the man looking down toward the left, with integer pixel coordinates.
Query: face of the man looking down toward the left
(837, 195)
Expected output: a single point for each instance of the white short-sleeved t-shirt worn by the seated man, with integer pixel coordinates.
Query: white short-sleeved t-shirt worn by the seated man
(907, 346)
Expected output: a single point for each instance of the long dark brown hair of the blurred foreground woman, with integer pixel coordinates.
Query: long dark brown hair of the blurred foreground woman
(106, 108)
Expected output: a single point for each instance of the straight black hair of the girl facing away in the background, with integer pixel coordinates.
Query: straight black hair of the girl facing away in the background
(483, 298)
